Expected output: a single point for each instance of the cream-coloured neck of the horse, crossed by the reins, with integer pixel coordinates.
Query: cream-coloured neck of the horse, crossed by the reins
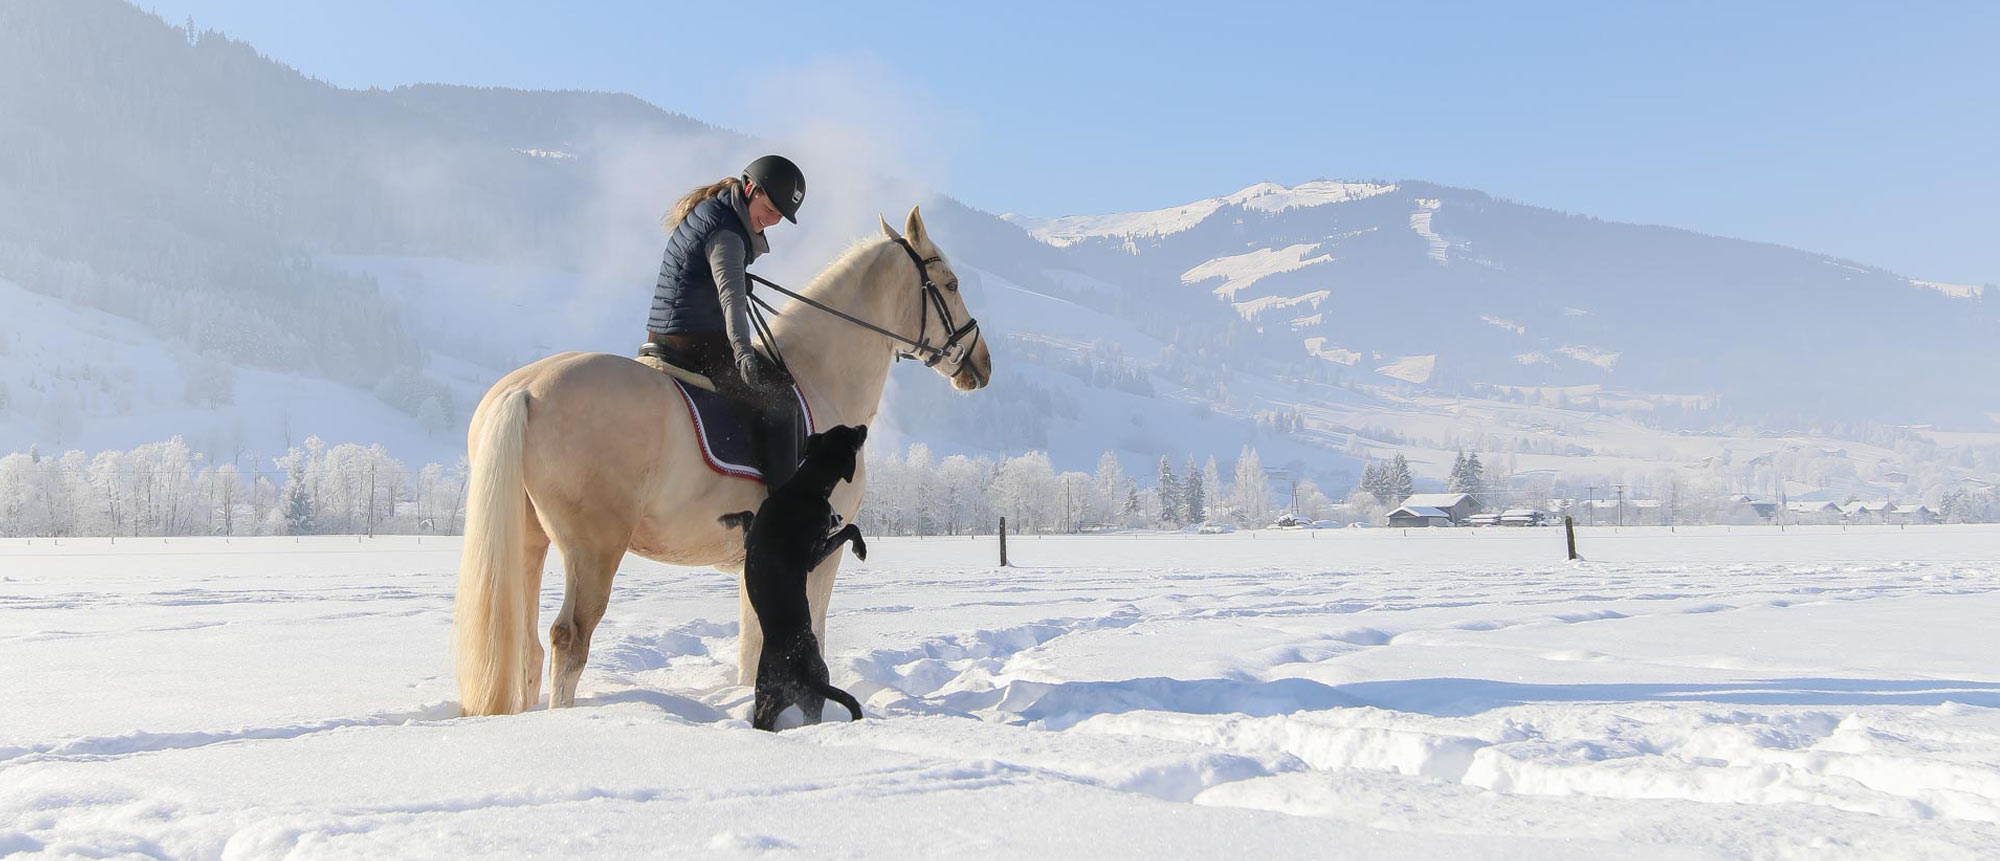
(839, 365)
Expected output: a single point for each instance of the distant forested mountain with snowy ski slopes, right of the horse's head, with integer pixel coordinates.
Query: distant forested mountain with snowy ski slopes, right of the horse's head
(1463, 293)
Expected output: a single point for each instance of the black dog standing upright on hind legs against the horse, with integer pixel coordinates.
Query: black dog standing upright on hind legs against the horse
(785, 540)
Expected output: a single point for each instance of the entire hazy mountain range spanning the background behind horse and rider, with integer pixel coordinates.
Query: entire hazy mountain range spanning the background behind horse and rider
(201, 241)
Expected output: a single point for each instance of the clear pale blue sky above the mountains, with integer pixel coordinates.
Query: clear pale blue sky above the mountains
(1865, 131)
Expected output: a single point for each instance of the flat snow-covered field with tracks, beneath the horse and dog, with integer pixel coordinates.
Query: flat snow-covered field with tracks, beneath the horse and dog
(1343, 694)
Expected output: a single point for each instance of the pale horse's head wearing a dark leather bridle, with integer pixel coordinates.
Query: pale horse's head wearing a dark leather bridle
(939, 319)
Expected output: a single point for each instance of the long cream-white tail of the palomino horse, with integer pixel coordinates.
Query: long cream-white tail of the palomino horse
(491, 620)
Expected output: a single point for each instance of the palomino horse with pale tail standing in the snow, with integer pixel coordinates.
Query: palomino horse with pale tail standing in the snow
(597, 456)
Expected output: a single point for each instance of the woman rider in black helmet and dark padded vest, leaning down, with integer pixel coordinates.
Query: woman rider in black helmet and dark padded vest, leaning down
(701, 305)
